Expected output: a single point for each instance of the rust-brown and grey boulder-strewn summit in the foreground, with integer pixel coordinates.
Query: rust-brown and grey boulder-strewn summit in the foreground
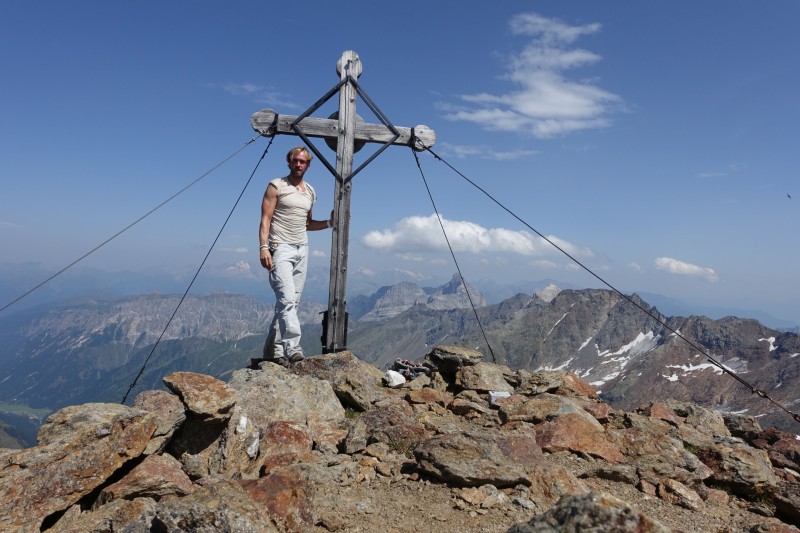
(461, 445)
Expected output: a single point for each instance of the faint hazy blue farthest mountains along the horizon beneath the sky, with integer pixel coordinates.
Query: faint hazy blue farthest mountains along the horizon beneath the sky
(81, 283)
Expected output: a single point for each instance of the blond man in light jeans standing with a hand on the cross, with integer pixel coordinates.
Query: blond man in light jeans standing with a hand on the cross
(285, 219)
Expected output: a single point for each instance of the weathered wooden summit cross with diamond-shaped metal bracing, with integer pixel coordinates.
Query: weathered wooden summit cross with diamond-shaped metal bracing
(346, 133)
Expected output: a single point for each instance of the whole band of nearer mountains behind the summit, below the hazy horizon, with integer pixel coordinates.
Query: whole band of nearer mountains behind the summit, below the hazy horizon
(53, 356)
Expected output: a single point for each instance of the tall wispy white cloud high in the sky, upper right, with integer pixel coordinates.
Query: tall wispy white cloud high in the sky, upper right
(544, 103)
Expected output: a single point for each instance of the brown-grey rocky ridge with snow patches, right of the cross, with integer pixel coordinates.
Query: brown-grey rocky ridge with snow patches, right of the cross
(624, 353)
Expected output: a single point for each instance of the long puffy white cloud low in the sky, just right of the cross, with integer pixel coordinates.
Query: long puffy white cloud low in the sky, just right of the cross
(414, 234)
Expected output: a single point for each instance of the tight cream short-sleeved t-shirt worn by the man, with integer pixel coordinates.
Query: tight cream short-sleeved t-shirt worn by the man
(291, 213)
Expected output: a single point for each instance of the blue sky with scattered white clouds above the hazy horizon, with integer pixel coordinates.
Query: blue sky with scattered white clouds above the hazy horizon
(656, 142)
